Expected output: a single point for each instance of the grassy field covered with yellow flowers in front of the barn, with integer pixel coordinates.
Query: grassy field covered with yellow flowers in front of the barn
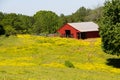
(27, 57)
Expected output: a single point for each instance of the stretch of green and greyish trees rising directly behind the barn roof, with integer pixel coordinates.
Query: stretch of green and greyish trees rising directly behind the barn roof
(82, 14)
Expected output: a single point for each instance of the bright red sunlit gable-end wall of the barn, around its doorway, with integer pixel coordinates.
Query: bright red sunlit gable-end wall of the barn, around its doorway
(68, 27)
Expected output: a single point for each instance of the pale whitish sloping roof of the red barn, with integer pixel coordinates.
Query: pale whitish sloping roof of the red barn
(85, 26)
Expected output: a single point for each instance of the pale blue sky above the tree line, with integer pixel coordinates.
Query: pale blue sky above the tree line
(30, 7)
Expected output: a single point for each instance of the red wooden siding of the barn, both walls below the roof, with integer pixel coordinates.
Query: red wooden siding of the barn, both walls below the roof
(76, 33)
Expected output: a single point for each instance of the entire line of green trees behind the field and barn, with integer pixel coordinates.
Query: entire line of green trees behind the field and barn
(43, 22)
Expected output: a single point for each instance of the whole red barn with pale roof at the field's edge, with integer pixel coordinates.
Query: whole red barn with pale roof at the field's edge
(81, 30)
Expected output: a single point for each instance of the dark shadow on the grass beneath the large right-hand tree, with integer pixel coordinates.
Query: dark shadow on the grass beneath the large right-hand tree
(115, 62)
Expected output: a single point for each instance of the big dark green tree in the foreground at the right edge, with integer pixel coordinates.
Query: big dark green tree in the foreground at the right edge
(110, 27)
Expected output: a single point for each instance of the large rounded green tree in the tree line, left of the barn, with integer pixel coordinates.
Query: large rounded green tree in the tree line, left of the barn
(45, 22)
